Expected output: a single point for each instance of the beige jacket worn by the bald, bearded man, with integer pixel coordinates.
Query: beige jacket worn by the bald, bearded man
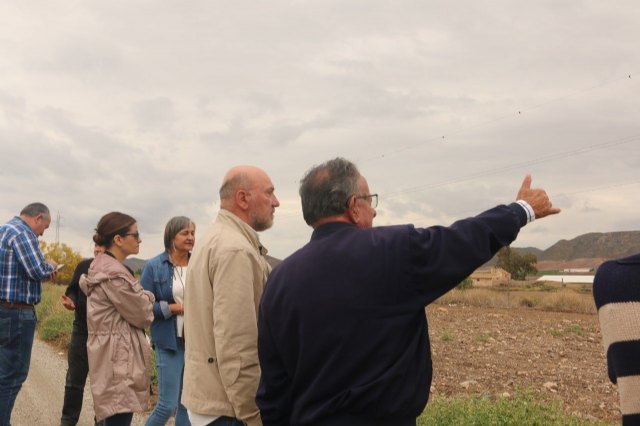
(227, 272)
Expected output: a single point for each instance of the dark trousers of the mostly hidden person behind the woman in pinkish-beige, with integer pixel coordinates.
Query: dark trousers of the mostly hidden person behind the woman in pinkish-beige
(76, 378)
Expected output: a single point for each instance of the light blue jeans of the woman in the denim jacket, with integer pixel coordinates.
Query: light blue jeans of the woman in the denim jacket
(170, 366)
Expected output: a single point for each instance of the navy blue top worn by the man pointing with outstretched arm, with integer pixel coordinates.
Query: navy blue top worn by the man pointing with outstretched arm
(342, 325)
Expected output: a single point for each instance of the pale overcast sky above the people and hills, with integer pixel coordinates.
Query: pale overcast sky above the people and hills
(142, 106)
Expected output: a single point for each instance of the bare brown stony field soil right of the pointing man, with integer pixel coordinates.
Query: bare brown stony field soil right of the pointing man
(495, 352)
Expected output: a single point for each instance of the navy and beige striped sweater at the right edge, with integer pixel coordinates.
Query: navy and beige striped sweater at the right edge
(616, 290)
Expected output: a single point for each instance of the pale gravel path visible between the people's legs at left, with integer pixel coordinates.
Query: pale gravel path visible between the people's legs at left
(40, 400)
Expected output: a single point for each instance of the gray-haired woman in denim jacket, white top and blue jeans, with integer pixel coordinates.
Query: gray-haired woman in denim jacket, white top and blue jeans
(165, 276)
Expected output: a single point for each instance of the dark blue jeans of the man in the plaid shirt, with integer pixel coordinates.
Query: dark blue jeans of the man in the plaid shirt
(17, 327)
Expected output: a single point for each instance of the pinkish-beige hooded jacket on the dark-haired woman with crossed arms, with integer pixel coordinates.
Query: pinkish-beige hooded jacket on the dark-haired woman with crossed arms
(118, 310)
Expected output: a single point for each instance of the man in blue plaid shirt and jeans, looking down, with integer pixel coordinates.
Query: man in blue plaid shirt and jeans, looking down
(22, 267)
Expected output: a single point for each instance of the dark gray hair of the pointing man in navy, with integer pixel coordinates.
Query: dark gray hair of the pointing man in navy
(325, 189)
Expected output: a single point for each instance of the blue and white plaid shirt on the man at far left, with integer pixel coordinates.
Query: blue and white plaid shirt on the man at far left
(22, 265)
